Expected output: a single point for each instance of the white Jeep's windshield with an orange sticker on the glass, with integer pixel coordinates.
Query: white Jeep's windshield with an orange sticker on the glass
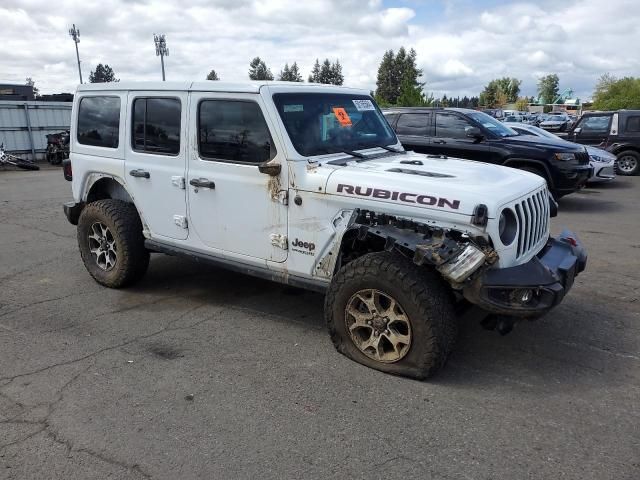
(323, 123)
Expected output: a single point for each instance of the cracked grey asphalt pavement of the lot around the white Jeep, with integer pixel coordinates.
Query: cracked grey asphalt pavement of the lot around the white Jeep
(197, 372)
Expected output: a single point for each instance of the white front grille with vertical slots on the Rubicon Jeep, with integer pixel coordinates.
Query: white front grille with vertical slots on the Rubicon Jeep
(533, 222)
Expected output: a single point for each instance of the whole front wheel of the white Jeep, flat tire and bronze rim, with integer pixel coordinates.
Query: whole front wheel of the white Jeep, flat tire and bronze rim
(385, 312)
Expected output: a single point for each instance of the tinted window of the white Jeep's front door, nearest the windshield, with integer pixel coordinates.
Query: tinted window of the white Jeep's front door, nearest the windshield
(233, 130)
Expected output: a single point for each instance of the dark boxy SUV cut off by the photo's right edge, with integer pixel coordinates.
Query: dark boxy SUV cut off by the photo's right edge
(618, 132)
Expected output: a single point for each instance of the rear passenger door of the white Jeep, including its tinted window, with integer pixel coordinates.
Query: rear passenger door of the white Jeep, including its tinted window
(155, 160)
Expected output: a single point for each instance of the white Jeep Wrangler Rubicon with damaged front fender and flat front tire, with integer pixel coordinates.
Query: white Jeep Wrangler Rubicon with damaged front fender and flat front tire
(308, 185)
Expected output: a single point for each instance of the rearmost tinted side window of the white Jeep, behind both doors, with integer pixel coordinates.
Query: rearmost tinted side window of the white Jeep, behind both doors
(99, 121)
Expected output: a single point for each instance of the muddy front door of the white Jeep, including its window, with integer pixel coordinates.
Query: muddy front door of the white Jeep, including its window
(233, 206)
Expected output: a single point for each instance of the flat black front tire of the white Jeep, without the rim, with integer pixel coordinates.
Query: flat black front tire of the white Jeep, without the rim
(423, 295)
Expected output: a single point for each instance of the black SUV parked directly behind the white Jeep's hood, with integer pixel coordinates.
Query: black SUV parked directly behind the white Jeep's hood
(464, 133)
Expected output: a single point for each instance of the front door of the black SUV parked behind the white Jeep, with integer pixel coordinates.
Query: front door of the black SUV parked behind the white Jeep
(451, 138)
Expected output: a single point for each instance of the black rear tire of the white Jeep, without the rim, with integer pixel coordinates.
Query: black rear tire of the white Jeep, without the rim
(123, 221)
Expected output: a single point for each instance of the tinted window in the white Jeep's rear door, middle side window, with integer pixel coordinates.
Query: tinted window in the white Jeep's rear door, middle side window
(156, 125)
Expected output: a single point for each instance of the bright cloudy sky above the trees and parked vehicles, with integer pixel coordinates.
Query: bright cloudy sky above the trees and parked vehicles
(461, 44)
